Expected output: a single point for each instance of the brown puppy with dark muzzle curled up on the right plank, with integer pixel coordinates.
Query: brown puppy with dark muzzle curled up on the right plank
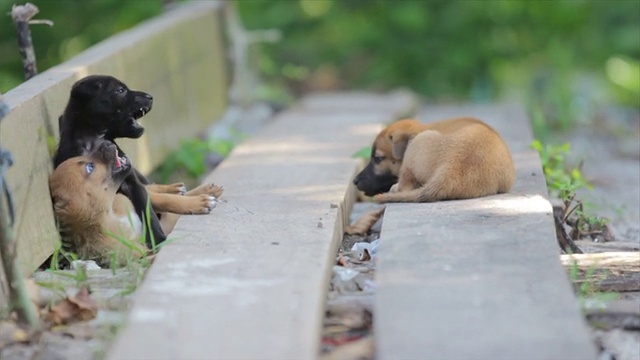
(451, 159)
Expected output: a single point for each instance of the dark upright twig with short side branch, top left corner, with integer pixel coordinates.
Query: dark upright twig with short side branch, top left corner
(21, 15)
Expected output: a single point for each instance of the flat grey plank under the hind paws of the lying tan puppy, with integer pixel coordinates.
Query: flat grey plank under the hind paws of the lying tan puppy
(249, 281)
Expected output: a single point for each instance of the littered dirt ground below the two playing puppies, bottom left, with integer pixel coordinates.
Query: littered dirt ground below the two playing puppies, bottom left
(77, 340)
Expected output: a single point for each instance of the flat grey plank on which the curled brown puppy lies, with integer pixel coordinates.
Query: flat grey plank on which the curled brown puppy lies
(480, 278)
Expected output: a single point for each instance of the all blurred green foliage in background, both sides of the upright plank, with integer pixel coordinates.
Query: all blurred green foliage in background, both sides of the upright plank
(567, 61)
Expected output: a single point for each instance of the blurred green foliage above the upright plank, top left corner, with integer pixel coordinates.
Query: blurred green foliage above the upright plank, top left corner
(78, 24)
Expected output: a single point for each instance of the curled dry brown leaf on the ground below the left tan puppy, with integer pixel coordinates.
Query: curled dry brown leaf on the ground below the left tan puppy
(80, 307)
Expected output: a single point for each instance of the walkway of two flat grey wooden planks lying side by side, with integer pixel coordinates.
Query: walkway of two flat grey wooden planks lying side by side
(477, 279)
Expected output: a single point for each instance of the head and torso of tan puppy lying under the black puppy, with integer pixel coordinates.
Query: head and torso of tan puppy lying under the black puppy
(93, 217)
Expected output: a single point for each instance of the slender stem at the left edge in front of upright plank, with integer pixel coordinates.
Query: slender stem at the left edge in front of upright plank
(18, 295)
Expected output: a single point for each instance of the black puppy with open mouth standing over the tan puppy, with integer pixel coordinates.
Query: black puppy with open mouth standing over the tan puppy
(101, 106)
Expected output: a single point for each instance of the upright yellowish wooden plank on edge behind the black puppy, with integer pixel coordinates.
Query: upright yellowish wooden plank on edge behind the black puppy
(186, 78)
